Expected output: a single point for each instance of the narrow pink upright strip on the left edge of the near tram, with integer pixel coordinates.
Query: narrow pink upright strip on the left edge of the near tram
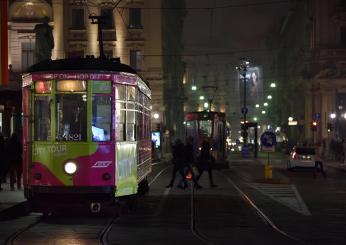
(27, 133)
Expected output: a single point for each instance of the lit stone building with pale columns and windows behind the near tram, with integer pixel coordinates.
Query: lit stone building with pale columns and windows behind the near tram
(131, 31)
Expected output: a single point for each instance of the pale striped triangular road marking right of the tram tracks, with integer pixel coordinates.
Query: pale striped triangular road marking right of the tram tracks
(287, 195)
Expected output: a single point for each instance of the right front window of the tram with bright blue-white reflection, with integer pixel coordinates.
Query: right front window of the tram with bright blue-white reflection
(101, 118)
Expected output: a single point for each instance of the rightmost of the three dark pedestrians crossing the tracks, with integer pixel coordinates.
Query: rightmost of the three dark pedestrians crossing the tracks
(205, 162)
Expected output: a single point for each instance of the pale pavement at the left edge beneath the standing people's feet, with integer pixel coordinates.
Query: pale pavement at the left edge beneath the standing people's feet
(10, 198)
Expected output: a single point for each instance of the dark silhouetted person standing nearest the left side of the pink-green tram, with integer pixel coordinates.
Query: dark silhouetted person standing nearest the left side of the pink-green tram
(14, 151)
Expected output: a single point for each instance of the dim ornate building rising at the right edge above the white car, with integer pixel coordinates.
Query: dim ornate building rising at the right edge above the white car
(311, 69)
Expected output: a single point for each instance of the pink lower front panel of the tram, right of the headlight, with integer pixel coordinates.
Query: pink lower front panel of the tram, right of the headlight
(94, 167)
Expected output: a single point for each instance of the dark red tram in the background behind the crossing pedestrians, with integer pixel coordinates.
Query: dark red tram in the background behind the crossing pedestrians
(208, 126)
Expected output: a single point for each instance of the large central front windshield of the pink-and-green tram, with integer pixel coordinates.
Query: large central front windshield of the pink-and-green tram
(71, 117)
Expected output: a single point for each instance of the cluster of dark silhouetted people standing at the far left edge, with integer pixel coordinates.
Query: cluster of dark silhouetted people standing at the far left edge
(11, 161)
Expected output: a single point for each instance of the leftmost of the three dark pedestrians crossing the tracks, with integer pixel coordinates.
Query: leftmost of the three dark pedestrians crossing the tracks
(178, 162)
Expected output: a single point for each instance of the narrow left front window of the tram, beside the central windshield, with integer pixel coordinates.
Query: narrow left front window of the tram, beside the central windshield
(42, 130)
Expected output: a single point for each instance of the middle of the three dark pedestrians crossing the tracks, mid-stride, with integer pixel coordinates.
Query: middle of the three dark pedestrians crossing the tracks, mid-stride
(189, 161)
